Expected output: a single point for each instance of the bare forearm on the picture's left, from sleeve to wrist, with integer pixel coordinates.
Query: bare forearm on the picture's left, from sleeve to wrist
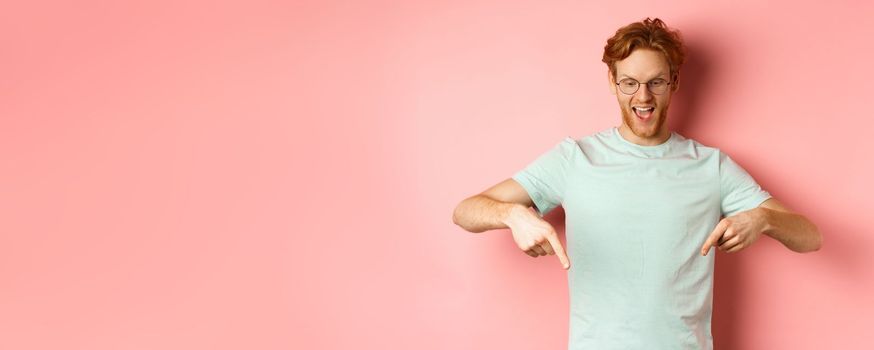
(480, 213)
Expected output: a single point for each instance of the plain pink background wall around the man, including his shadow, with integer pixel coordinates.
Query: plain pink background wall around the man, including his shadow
(281, 175)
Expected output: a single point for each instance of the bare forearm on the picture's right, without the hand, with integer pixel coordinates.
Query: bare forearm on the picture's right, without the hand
(795, 231)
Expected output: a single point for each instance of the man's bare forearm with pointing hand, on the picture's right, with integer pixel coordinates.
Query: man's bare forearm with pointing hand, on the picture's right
(771, 218)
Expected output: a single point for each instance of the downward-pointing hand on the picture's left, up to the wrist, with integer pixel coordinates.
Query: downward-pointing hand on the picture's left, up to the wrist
(534, 235)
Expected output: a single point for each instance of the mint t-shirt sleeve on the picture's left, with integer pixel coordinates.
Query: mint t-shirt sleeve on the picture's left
(545, 178)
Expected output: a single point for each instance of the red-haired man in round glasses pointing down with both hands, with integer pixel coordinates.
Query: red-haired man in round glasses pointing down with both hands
(643, 207)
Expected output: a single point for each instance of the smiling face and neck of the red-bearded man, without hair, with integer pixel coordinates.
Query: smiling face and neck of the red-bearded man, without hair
(643, 127)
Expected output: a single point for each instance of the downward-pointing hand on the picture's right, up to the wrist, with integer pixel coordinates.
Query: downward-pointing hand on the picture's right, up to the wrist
(736, 232)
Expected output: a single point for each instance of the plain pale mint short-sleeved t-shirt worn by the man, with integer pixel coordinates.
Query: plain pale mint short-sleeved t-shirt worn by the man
(636, 218)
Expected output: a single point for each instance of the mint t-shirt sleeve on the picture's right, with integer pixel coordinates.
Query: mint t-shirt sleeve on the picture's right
(739, 191)
